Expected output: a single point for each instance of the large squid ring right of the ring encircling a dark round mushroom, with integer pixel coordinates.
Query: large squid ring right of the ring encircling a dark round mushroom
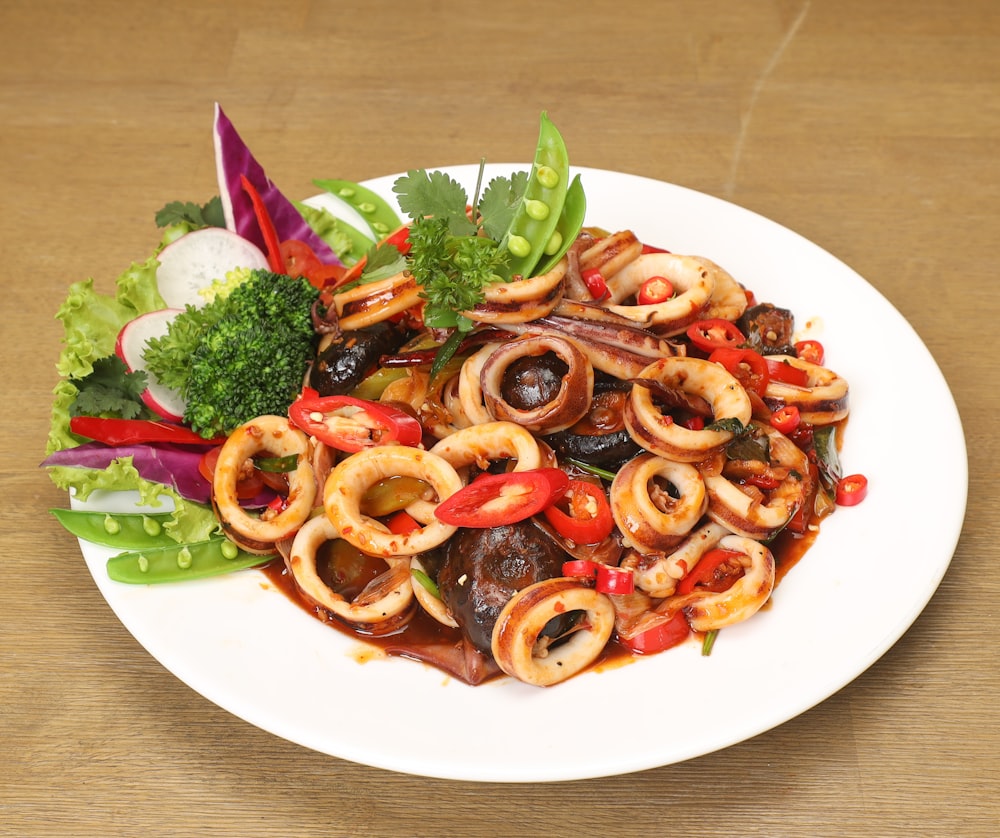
(660, 434)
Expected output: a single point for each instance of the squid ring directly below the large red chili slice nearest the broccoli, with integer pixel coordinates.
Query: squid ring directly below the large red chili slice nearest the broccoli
(354, 475)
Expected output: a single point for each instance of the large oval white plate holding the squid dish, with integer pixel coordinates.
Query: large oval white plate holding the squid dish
(245, 647)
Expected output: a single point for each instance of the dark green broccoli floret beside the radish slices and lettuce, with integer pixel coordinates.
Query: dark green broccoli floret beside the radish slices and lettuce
(252, 360)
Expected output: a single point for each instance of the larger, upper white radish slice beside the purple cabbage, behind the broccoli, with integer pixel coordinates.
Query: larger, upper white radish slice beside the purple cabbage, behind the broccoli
(197, 259)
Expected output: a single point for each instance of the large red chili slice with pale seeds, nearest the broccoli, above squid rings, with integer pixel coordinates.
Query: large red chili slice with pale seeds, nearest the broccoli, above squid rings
(350, 424)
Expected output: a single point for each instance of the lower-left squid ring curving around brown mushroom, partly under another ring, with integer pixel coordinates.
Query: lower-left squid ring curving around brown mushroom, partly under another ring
(381, 607)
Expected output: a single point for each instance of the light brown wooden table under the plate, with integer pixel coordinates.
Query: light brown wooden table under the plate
(871, 128)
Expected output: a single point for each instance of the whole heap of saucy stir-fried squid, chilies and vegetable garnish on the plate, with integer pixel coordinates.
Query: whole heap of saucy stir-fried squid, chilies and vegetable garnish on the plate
(471, 429)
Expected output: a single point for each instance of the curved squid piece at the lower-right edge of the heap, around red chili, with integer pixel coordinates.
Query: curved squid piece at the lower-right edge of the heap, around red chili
(708, 611)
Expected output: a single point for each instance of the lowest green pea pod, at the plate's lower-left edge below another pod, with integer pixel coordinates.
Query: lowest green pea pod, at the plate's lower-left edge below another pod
(180, 562)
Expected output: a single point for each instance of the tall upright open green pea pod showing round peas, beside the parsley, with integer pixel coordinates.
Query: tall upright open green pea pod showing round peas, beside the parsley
(537, 215)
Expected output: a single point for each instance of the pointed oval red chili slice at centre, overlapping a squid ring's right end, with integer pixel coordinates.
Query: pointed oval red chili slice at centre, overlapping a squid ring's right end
(493, 500)
